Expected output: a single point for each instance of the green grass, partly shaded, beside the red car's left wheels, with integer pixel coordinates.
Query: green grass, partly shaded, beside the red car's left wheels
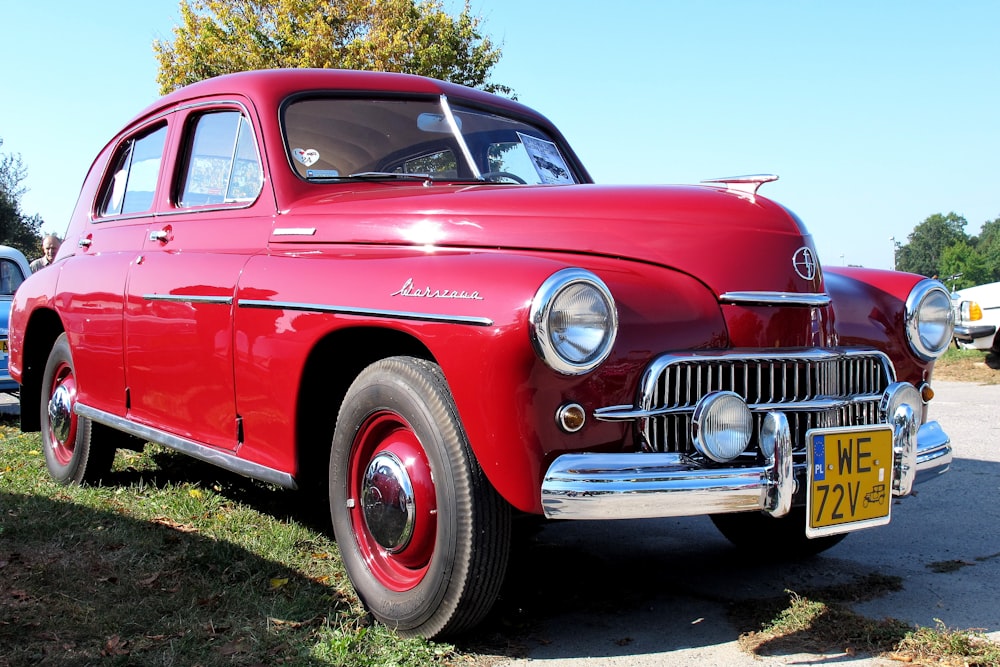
(172, 562)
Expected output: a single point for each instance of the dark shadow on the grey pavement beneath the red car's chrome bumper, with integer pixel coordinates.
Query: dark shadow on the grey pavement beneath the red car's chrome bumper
(628, 588)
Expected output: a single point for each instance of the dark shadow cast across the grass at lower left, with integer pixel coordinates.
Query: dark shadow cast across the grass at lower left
(80, 586)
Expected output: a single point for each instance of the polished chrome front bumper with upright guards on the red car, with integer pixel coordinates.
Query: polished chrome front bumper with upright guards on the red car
(651, 485)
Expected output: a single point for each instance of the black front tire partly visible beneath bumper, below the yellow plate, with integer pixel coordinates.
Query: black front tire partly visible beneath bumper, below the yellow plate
(764, 537)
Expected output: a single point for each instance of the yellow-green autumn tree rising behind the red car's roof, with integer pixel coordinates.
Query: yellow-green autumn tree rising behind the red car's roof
(224, 36)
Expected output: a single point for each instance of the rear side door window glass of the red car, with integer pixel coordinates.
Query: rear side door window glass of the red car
(136, 171)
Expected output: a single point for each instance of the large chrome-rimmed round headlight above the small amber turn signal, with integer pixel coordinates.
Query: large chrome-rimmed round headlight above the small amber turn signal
(573, 321)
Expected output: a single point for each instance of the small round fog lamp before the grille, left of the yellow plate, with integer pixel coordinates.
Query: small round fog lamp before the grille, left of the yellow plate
(721, 426)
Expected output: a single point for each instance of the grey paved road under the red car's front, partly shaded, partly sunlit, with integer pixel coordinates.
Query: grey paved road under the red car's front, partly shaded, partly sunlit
(656, 592)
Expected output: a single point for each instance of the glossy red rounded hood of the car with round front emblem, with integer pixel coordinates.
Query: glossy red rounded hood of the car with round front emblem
(730, 241)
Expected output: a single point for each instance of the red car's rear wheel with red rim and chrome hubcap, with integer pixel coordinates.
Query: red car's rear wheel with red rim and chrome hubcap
(69, 453)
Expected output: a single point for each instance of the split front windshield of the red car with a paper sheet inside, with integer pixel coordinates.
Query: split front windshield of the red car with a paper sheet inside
(331, 139)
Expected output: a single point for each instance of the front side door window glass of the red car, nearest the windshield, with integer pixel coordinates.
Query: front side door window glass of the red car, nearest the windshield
(223, 166)
